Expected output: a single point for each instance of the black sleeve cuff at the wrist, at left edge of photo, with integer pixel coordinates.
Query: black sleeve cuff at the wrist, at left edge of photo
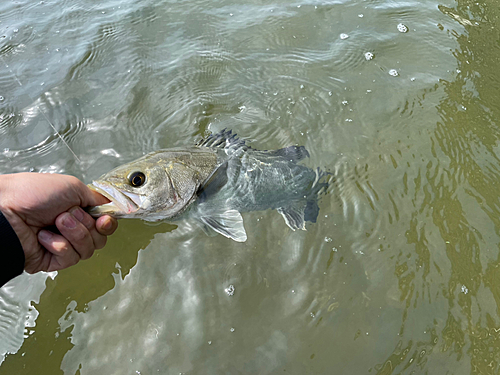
(11, 252)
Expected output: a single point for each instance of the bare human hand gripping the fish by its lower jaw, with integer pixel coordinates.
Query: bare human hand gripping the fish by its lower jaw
(34, 201)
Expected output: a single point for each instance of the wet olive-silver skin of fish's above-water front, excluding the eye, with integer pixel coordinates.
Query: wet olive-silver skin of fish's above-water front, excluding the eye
(172, 179)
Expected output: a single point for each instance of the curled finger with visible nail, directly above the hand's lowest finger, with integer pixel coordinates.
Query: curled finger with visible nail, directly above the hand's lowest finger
(75, 232)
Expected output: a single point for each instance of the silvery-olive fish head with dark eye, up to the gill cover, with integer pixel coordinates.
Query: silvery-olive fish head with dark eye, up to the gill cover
(147, 189)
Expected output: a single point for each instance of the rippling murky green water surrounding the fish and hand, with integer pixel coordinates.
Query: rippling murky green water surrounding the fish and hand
(398, 99)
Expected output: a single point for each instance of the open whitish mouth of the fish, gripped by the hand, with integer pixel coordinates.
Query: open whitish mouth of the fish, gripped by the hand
(122, 204)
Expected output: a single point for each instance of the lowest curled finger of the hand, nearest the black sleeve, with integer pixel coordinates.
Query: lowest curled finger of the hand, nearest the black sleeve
(64, 255)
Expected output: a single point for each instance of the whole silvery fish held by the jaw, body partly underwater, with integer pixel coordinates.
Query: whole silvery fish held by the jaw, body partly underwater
(214, 181)
